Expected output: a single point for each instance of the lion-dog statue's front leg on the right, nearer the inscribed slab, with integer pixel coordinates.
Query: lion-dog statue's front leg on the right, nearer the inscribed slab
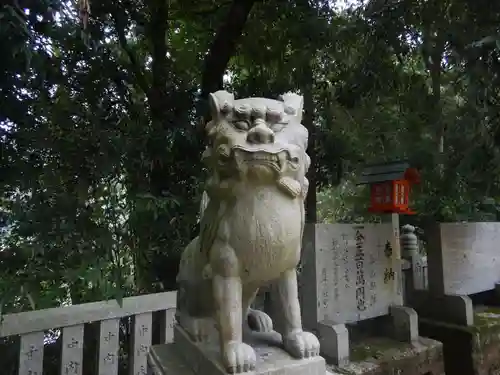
(297, 343)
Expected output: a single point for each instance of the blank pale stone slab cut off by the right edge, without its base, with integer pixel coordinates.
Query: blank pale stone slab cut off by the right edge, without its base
(471, 257)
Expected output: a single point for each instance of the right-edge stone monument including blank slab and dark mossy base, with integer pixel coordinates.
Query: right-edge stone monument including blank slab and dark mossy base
(459, 306)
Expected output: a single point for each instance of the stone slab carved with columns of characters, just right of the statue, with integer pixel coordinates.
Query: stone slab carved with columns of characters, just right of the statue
(353, 277)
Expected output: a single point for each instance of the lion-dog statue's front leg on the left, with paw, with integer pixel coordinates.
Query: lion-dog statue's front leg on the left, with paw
(236, 355)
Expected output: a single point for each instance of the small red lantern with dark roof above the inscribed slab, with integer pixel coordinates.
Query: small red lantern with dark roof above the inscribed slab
(390, 185)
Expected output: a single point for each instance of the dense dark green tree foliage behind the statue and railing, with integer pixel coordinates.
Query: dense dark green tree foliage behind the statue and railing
(101, 145)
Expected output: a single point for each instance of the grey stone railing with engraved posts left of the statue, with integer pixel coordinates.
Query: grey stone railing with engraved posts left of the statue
(32, 327)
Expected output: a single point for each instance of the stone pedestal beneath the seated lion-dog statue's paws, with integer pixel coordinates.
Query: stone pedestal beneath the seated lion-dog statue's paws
(185, 357)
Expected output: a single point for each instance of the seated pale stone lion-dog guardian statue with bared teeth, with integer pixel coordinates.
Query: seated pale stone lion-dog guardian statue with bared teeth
(251, 227)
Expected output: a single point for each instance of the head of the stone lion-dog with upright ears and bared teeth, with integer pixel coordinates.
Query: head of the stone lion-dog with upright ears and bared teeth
(256, 140)
